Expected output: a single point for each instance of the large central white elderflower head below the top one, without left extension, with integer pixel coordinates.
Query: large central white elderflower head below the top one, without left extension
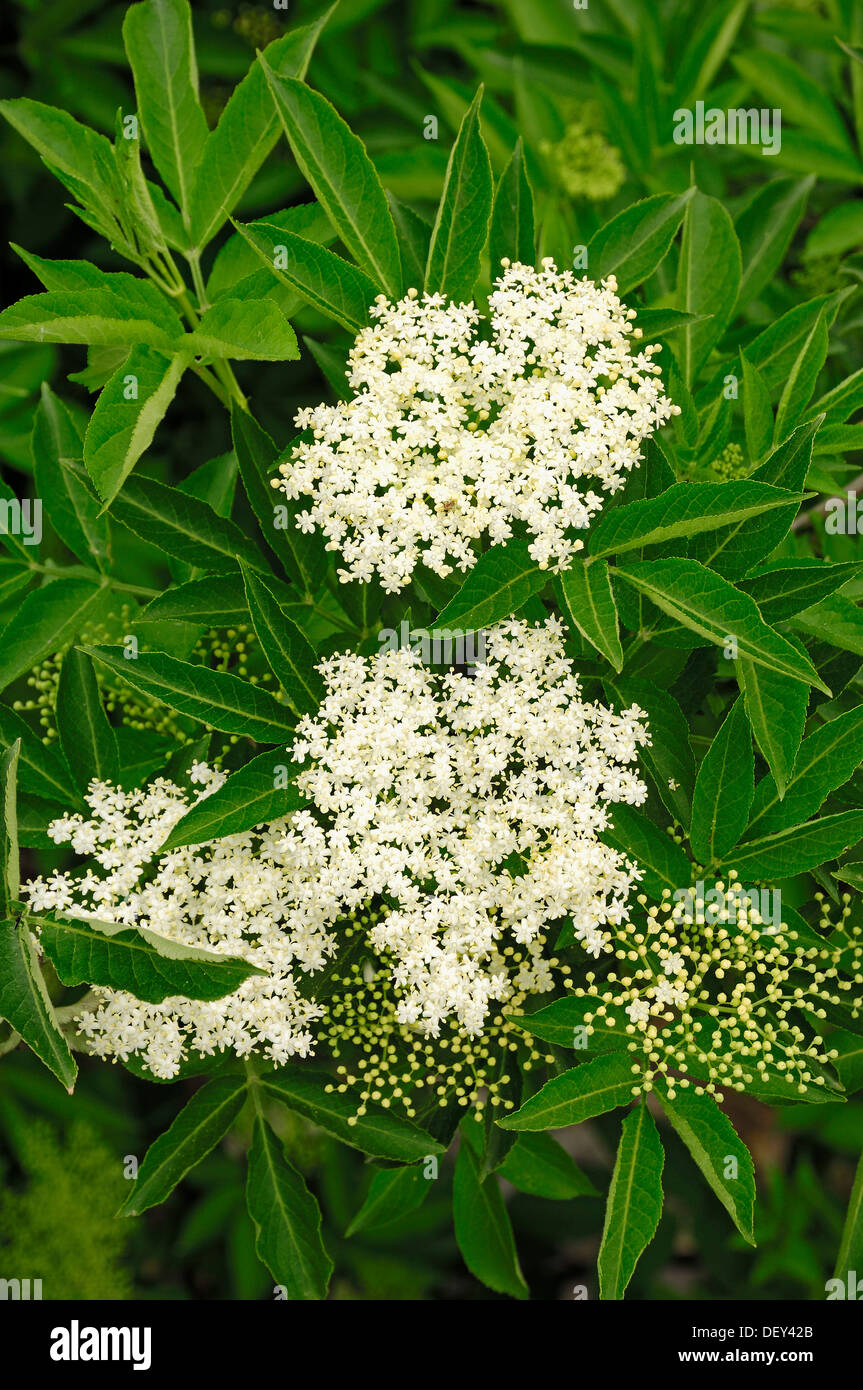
(473, 806)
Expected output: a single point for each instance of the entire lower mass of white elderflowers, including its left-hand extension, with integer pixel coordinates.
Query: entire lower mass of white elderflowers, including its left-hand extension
(468, 808)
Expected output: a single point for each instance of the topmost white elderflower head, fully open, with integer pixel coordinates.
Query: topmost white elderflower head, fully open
(463, 429)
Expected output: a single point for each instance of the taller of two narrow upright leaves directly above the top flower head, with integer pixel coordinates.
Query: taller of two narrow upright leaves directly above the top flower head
(462, 223)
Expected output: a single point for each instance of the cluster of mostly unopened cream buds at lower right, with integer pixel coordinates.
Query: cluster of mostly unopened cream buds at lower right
(723, 1000)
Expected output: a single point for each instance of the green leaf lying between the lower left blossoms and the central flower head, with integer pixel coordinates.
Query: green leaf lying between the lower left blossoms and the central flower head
(258, 794)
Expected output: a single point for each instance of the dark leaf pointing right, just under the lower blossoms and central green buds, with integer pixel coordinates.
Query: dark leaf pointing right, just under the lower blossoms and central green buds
(379, 1132)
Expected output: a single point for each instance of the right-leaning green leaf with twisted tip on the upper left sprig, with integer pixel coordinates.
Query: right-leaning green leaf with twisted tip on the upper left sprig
(247, 133)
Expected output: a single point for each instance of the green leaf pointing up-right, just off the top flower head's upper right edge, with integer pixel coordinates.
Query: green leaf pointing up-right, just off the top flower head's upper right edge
(637, 241)
